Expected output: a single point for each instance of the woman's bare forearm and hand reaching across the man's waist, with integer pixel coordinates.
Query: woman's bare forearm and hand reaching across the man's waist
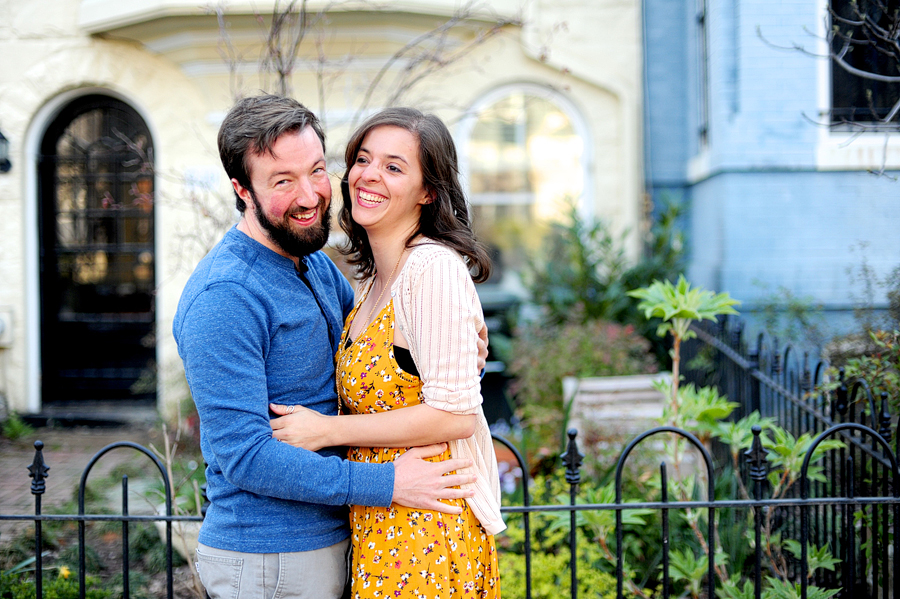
(407, 427)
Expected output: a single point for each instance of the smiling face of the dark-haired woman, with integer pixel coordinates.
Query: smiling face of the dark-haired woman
(386, 189)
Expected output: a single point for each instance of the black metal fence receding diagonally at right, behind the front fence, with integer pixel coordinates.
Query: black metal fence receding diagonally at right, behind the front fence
(794, 389)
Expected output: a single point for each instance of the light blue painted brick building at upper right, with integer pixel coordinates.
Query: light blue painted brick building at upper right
(742, 126)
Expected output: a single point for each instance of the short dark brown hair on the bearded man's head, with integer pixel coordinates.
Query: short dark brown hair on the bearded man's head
(252, 126)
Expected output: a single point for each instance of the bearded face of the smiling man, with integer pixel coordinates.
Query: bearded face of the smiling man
(291, 196)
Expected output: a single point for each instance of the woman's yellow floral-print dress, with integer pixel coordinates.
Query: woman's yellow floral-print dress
(397, 551)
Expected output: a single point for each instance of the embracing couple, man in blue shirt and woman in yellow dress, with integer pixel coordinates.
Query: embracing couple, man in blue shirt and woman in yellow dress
(268, 325)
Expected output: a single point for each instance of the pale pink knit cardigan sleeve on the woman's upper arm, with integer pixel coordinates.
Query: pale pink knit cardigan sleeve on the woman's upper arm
(444, 314)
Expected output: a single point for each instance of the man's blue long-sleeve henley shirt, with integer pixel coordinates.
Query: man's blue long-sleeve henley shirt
(250, 332)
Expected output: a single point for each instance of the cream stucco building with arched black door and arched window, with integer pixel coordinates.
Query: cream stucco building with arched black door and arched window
(115, 190)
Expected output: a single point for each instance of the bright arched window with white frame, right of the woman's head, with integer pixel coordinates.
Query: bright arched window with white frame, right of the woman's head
(524, 158)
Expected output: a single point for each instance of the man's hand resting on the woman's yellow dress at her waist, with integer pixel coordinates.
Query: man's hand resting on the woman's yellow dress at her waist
(421, 484)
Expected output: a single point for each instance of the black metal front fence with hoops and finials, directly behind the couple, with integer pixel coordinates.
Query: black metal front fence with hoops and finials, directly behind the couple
(852, 575)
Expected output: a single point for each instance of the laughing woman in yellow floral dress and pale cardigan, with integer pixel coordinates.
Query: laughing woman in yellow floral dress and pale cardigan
(410, 343)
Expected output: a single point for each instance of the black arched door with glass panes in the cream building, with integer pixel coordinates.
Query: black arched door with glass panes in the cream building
(97, 274)
